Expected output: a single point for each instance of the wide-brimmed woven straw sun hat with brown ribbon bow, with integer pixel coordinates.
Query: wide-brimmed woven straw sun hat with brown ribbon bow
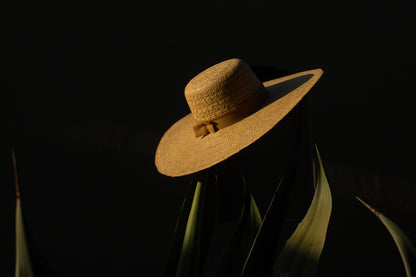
(230, 109)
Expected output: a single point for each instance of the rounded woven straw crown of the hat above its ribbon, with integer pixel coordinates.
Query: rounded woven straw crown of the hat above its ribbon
(220, 89)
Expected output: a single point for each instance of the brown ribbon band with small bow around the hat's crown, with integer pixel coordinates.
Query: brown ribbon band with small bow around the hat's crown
(244, 109)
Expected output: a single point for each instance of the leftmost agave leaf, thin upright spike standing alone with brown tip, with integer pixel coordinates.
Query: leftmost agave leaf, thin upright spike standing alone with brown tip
(23, 266)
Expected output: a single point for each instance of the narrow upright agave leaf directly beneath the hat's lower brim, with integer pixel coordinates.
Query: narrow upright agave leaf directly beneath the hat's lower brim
(194, 229)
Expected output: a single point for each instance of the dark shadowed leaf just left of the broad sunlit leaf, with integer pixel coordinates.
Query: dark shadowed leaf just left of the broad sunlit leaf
(288, 205)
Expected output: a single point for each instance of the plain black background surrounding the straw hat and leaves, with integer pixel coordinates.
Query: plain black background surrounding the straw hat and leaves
(91, 87)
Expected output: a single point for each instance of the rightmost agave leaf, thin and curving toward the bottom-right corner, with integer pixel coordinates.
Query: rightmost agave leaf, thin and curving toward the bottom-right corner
(403, 243)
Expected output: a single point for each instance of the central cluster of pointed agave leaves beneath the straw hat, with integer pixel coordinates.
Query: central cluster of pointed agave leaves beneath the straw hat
(298, 257)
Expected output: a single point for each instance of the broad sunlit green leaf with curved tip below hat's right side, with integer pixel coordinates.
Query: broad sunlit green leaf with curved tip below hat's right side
(300, 255)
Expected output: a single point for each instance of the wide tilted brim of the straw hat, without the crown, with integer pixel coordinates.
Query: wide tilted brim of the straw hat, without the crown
(181, 153)
